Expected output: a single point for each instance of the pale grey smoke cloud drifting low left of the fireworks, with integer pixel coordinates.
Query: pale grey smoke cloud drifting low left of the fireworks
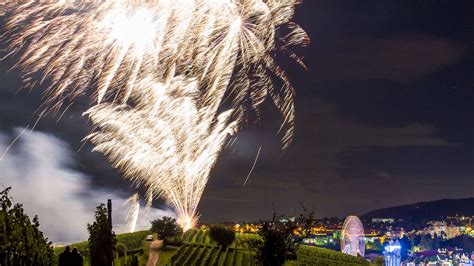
(40, 170)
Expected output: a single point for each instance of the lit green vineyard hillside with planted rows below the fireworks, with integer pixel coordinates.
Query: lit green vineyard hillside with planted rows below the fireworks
(198, 249)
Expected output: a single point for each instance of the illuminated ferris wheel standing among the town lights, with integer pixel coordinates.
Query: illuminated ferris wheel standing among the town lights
(352, 237)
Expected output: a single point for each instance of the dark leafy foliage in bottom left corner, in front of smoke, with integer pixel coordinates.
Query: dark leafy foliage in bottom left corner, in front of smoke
(21, 241)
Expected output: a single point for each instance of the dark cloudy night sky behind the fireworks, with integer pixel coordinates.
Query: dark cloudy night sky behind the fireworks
(384, 117)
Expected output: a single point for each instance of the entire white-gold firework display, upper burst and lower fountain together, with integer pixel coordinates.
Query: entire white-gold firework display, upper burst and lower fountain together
(161, 68)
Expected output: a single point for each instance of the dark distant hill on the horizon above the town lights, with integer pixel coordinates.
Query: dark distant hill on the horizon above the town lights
(425, 211)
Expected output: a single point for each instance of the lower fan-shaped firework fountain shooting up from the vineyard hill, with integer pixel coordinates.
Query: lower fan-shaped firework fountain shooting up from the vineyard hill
(167, 143)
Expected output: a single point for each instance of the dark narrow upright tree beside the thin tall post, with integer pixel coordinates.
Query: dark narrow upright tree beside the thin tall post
(102, 240)
